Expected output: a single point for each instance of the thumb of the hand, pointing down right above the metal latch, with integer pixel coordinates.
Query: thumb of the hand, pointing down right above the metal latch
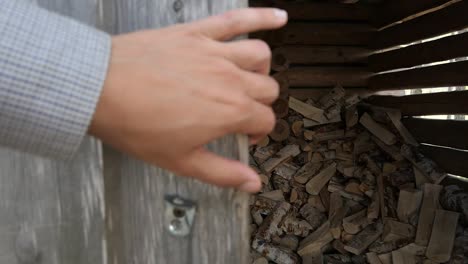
(211, 168)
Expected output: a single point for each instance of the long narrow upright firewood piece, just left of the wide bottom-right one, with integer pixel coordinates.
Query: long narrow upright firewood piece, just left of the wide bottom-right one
(430, 204)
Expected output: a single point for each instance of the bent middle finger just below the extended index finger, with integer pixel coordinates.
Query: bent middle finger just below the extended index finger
(249, 55)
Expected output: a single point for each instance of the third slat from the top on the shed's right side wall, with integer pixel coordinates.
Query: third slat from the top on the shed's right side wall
(427, 52)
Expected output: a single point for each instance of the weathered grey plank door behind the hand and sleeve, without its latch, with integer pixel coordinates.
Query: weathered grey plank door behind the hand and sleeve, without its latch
(105, 207)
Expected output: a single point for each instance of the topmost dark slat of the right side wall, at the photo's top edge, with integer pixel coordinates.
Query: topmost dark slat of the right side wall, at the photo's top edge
(396, 10)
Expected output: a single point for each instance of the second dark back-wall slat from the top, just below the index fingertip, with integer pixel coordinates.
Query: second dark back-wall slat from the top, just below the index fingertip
(318, 34)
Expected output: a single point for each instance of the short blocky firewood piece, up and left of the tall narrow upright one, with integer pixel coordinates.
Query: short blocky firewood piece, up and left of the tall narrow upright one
(409, 202)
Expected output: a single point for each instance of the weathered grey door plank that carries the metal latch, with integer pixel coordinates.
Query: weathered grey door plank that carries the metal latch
(136, 227)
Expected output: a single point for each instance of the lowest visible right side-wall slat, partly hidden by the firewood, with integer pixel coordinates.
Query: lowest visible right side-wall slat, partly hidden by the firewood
(451, 160)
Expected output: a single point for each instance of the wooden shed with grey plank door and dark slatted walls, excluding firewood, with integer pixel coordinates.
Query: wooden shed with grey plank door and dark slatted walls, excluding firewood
(106, 207)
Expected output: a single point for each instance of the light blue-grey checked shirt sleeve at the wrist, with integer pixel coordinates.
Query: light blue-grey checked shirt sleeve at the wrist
(52, 70)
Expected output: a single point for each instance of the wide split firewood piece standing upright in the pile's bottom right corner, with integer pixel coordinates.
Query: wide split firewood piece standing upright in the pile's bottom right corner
(443, 236)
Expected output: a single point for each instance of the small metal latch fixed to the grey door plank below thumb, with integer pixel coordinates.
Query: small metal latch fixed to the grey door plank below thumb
(179, 215)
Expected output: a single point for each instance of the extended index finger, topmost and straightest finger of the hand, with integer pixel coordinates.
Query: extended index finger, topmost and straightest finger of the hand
(240, 21)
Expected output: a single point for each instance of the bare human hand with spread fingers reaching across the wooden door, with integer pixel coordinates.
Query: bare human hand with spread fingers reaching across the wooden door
(171, 91)
